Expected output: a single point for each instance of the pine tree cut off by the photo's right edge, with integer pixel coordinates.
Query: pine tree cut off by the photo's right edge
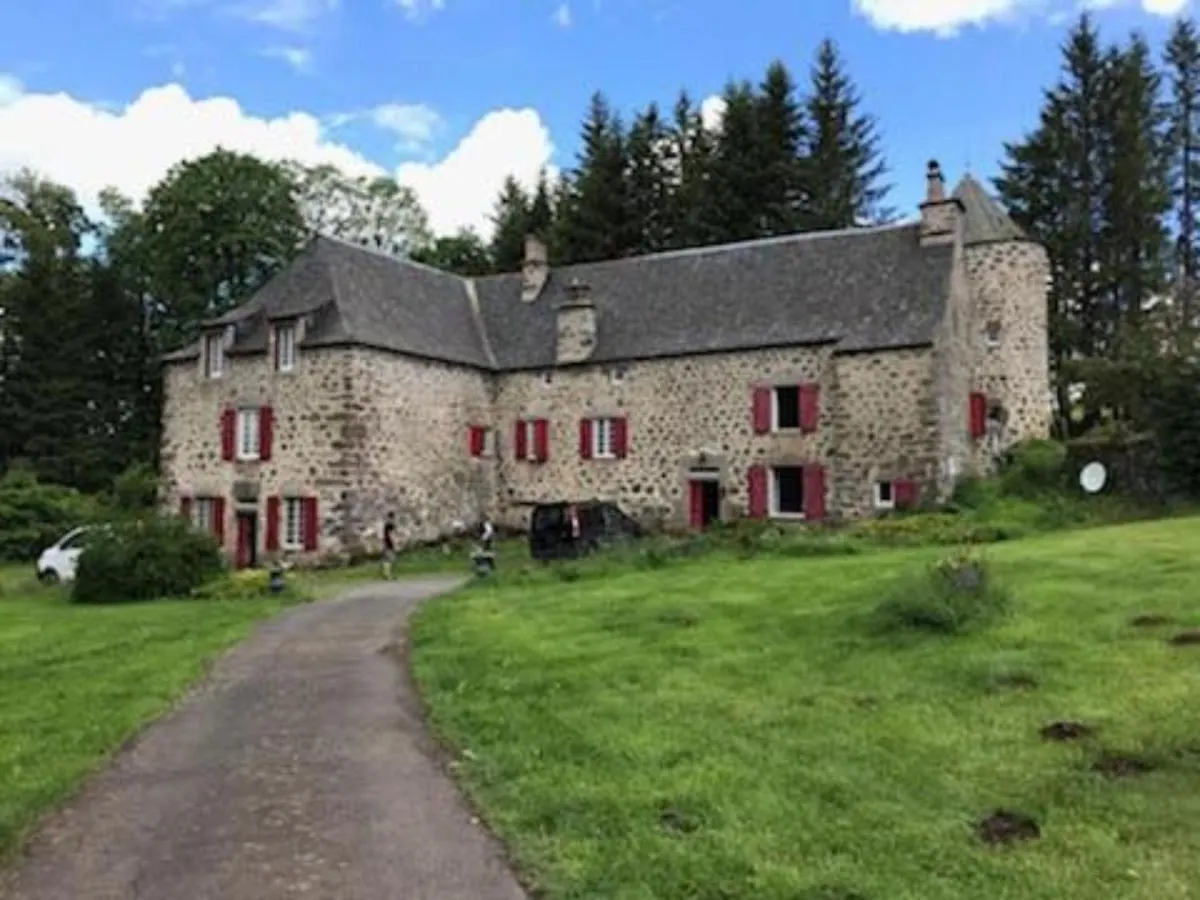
(1184, 80)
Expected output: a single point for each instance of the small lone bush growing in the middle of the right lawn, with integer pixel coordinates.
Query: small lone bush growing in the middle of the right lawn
(953, 596)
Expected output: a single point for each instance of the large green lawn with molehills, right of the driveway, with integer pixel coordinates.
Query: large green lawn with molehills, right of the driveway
(734, 729)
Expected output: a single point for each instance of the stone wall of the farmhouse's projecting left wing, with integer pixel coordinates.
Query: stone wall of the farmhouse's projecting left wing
(363, 431)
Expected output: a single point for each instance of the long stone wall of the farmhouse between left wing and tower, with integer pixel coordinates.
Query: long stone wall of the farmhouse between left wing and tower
(680, 410)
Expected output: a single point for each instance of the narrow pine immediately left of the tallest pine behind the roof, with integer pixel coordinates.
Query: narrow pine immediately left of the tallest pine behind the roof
(782, 135)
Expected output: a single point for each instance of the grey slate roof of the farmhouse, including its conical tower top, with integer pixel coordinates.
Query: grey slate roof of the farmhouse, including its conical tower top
(860, 290)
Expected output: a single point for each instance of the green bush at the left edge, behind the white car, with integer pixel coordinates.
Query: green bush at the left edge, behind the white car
(34, 515)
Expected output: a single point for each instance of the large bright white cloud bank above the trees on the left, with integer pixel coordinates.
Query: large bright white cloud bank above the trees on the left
(91, 148)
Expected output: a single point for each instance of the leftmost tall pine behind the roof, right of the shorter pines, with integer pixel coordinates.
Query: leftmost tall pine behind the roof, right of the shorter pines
(595, 223)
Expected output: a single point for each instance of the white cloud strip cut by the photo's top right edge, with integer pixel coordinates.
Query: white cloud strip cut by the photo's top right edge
(949, 17)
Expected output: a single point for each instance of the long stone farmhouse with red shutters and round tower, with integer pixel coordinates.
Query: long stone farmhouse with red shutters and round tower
(806, 377)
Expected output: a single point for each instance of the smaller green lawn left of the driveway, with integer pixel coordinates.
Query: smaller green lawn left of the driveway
(76, 682)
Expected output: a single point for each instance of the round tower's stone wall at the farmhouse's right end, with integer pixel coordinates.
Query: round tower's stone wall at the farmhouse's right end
(1009, 285)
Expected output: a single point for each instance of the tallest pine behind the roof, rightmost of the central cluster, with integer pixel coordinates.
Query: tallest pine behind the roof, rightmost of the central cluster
(845, 166)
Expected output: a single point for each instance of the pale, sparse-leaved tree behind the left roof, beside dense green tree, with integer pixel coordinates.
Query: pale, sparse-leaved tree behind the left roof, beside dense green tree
(376, 213)
